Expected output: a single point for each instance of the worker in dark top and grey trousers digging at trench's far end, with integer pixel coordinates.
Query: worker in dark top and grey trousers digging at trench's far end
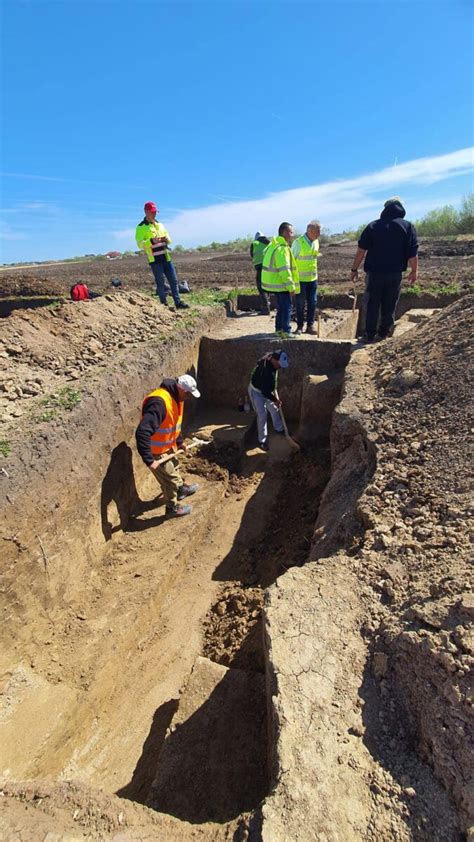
(264, 395)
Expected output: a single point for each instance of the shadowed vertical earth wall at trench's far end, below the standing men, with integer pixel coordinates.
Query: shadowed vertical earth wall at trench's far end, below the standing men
(225, 367)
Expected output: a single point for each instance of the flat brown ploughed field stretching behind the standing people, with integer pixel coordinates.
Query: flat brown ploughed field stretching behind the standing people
(442, 263)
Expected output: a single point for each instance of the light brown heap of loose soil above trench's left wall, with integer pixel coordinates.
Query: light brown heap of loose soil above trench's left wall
(43, 350)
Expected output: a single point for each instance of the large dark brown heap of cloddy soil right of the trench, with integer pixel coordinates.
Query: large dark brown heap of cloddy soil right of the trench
(415, 551)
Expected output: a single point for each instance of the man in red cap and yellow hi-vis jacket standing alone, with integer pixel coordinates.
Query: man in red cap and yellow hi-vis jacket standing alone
(153, 238)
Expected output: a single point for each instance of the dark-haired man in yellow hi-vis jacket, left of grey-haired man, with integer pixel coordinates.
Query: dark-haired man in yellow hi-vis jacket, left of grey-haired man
(280, 276)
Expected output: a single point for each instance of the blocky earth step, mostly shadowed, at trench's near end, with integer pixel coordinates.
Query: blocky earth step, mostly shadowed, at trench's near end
(212, 765)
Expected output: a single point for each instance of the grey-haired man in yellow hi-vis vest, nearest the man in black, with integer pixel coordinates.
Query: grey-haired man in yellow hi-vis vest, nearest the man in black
(306, 252)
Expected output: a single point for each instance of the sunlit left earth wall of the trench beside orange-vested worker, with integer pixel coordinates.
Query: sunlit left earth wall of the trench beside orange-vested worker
(67, 497)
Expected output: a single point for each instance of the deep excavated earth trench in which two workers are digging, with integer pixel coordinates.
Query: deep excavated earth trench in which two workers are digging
(145, 664)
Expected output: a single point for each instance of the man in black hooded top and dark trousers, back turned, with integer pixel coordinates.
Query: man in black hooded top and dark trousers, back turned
(388, 244)
